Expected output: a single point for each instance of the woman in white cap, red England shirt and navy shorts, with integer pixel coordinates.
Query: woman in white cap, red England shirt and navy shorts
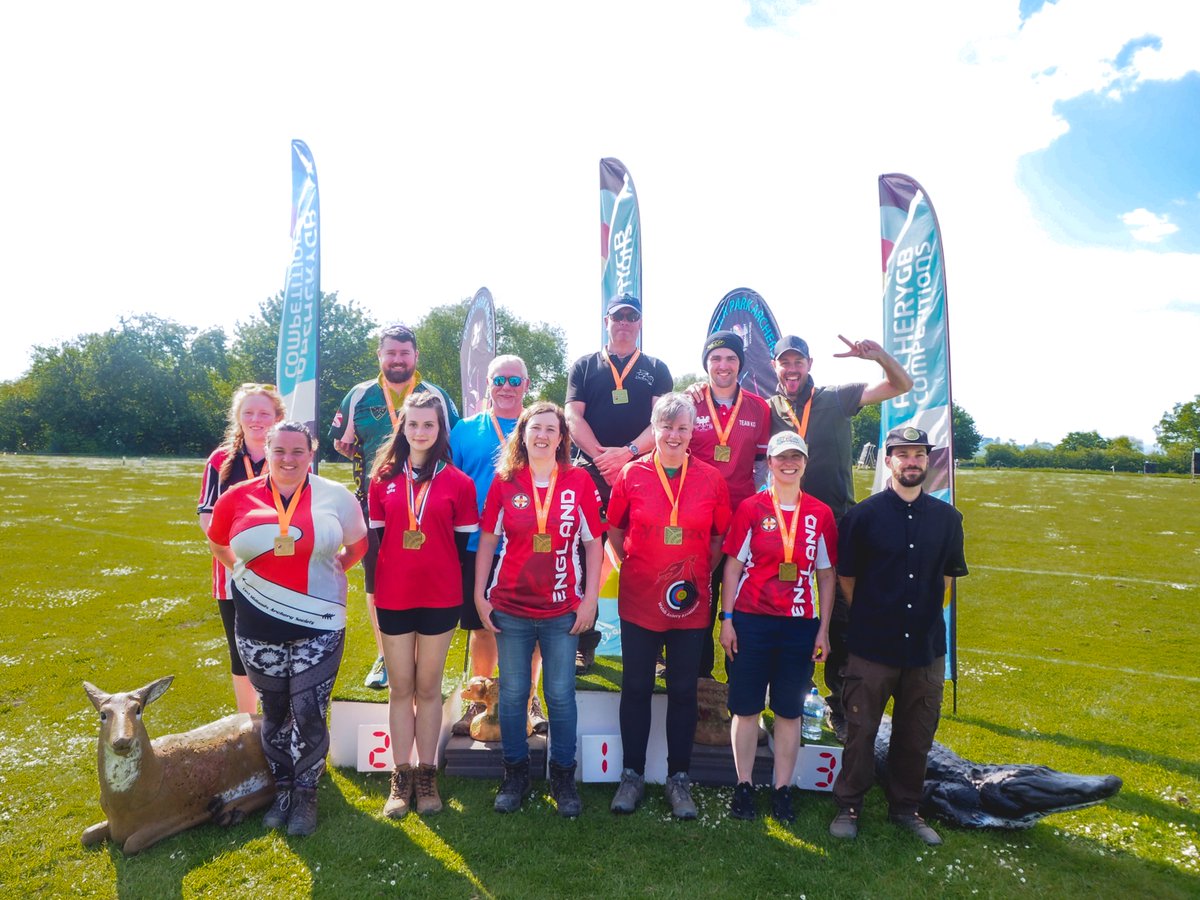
(781, 543)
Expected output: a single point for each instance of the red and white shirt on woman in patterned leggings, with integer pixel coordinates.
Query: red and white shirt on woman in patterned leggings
(285, 598)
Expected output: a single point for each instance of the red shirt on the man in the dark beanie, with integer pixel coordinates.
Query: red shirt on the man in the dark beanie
(747, 441)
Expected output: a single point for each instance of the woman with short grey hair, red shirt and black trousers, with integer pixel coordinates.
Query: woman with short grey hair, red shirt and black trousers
(667, 519)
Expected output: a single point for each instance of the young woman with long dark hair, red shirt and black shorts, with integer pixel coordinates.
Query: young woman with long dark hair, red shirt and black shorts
(421, 505)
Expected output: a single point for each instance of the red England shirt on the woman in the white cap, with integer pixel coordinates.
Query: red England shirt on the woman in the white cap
(755, 539)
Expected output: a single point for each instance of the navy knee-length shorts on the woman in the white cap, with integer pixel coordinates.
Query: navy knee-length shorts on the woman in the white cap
(776, 652)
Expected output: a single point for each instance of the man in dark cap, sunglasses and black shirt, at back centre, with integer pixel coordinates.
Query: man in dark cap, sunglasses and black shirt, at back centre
(609, 400)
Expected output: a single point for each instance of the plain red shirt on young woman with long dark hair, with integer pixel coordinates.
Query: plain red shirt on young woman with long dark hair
(429, 577)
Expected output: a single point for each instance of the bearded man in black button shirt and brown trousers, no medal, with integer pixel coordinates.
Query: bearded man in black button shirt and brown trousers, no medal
(897, 554)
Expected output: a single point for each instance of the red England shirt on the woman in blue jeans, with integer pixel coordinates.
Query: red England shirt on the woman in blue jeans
(533, 585)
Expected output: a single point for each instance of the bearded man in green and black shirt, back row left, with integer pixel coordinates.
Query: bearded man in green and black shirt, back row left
(365, 421)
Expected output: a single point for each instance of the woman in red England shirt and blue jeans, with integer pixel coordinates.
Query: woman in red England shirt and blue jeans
(544, 508)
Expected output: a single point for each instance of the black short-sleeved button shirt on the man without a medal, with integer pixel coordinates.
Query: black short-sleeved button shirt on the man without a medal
(899, 554)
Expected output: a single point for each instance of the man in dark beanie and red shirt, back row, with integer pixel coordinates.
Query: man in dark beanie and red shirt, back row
(731, 434)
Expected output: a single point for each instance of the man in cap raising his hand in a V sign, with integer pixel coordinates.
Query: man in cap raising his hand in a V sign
(823, 417)
